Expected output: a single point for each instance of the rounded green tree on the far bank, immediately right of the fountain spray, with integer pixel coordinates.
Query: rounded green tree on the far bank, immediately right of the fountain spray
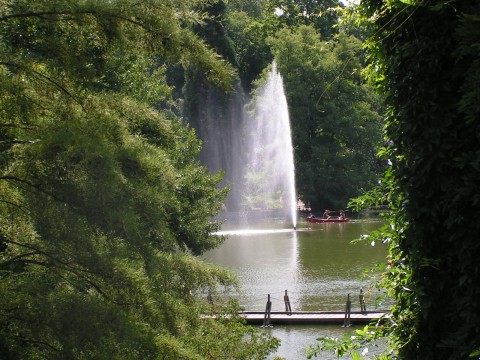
(334, 115)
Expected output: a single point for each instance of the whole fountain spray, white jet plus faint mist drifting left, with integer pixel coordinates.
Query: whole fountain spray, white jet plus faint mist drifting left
(250, 141)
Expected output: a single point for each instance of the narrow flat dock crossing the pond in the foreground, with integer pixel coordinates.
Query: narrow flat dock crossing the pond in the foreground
(314, 317)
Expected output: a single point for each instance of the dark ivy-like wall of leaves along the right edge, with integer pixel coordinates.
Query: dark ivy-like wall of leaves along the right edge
(424, 58)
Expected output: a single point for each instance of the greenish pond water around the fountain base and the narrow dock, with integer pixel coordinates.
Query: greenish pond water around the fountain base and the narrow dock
(316, 264)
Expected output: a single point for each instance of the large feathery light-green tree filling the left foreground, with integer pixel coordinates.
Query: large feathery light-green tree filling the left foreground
(102, 200)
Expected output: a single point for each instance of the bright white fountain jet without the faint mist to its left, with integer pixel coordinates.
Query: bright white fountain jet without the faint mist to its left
(270, 174)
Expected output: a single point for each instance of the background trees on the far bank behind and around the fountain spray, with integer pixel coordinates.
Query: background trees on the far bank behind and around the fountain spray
(334, 114)
